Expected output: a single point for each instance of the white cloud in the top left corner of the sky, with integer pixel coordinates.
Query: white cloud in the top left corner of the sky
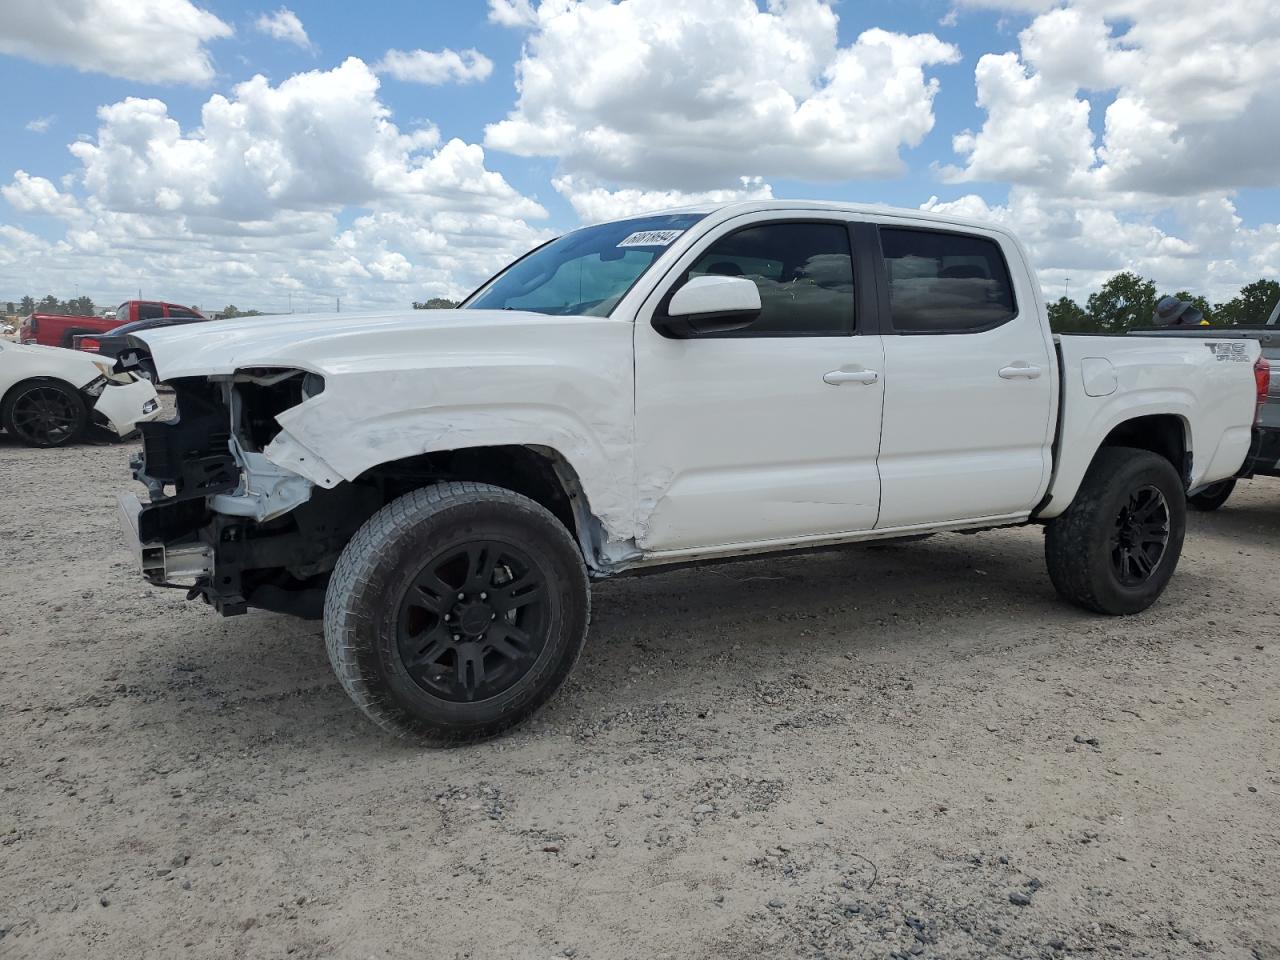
(152, 42)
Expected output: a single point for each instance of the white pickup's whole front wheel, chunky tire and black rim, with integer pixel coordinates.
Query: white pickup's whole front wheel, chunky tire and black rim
(456, 612)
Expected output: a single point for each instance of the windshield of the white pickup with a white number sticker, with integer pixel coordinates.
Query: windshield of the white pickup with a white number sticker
(584, 273)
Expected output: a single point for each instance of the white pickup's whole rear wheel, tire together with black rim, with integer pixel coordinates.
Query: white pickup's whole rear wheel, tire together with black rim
(1118, 545)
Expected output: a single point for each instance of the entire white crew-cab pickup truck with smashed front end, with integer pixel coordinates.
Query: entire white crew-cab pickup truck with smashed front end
(680, 387)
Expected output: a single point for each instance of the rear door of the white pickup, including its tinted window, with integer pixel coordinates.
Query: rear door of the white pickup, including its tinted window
(971, 380)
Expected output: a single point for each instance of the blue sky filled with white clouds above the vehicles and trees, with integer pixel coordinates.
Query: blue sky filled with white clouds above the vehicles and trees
(217, 152)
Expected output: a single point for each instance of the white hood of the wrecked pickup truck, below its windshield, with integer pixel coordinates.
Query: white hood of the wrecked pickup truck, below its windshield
(327, 344)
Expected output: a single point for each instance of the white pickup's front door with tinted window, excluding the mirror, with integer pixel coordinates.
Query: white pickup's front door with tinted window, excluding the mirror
(769, 433)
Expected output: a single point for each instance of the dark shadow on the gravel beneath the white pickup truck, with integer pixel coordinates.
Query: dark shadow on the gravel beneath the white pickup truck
(266, 679)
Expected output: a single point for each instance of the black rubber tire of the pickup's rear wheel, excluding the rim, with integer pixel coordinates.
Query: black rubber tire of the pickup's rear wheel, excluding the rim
(1078, 546)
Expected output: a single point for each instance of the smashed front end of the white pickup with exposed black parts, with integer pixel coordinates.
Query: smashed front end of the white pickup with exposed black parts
(226, 522)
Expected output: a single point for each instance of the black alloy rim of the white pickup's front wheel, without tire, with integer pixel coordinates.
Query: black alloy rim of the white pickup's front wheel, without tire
(473, 621)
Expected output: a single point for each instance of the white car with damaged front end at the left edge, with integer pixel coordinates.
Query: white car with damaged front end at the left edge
(51, 397)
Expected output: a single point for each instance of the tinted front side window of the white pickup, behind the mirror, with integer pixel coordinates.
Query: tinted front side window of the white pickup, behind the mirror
(803, 271)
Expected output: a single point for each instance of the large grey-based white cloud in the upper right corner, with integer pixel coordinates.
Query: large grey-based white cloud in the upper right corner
(1190, 98)
